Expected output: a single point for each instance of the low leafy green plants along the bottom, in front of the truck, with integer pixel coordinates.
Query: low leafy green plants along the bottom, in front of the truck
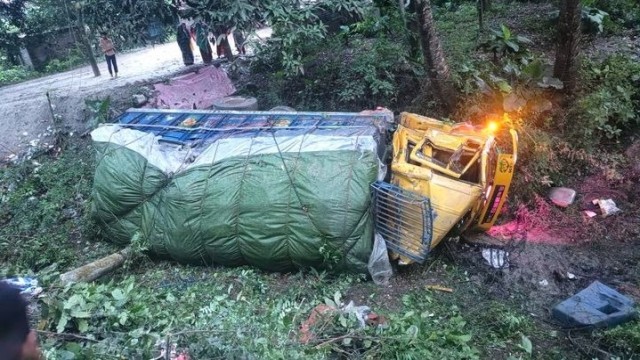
(213, 314)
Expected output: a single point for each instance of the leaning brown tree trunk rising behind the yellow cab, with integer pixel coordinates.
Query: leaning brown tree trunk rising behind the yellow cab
(435, 63)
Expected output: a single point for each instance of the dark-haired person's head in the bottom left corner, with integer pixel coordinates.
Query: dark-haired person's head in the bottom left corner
(17, 341)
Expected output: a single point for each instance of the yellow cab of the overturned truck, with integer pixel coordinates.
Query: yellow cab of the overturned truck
(459, 168)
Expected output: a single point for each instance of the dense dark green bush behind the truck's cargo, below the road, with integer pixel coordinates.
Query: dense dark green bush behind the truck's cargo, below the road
(362, 66)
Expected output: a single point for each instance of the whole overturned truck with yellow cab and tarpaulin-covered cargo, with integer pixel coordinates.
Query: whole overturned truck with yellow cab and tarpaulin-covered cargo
(290, 190)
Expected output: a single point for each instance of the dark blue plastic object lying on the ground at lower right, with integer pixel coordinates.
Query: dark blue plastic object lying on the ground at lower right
(596, 306)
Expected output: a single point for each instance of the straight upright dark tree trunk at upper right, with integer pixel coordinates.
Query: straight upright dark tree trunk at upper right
(566, 65)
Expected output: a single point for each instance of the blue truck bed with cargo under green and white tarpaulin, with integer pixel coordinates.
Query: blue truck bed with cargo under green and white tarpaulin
(279, 191)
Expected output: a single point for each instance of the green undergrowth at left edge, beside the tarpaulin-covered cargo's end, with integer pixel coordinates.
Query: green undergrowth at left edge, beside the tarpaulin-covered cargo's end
(43, 211)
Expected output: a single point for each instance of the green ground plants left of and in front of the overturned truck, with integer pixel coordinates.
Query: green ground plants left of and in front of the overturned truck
(214, 312)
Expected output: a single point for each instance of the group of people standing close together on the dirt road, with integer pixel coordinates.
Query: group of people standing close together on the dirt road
(203, 39)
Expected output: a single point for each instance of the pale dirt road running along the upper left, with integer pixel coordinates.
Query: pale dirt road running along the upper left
(24, 111)
